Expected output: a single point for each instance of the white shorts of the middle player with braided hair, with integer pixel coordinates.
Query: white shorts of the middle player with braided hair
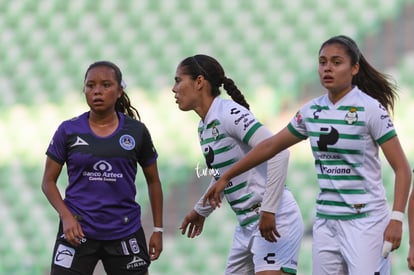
(251, 253)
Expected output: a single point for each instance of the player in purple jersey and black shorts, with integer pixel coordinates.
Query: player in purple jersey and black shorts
(99, 216)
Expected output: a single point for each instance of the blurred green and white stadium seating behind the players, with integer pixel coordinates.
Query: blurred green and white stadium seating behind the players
(269, 47)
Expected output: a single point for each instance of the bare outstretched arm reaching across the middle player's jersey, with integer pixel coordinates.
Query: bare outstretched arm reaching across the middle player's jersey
(260, 153)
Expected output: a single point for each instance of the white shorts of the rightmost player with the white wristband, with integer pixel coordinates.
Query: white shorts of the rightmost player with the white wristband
(350, 247)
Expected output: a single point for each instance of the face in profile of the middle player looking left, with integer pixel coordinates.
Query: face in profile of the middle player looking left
(187, 96)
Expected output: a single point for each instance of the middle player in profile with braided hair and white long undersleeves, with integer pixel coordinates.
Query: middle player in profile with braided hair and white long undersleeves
(227, 131)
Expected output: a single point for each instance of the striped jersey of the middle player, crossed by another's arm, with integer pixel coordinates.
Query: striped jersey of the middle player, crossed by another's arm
(224, 139)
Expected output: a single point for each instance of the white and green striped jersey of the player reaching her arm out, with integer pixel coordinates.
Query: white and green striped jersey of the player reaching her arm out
(345, 139)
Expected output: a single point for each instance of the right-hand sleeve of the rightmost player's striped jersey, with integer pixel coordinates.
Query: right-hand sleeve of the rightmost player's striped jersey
(380, 124)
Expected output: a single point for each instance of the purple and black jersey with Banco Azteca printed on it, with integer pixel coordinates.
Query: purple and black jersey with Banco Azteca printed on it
(101, 172)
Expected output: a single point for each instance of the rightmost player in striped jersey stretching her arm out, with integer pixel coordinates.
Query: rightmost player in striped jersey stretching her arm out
(353, 232)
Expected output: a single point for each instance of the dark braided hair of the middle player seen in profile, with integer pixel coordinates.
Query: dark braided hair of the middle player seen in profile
(213, 72)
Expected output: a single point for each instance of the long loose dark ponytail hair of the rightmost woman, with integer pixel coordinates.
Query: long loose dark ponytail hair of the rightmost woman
(368, 79)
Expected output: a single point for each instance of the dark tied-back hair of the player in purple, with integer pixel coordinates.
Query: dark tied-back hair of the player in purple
(123, 104)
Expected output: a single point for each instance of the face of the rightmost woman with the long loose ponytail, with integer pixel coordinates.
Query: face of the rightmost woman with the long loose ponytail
(335, 69)
